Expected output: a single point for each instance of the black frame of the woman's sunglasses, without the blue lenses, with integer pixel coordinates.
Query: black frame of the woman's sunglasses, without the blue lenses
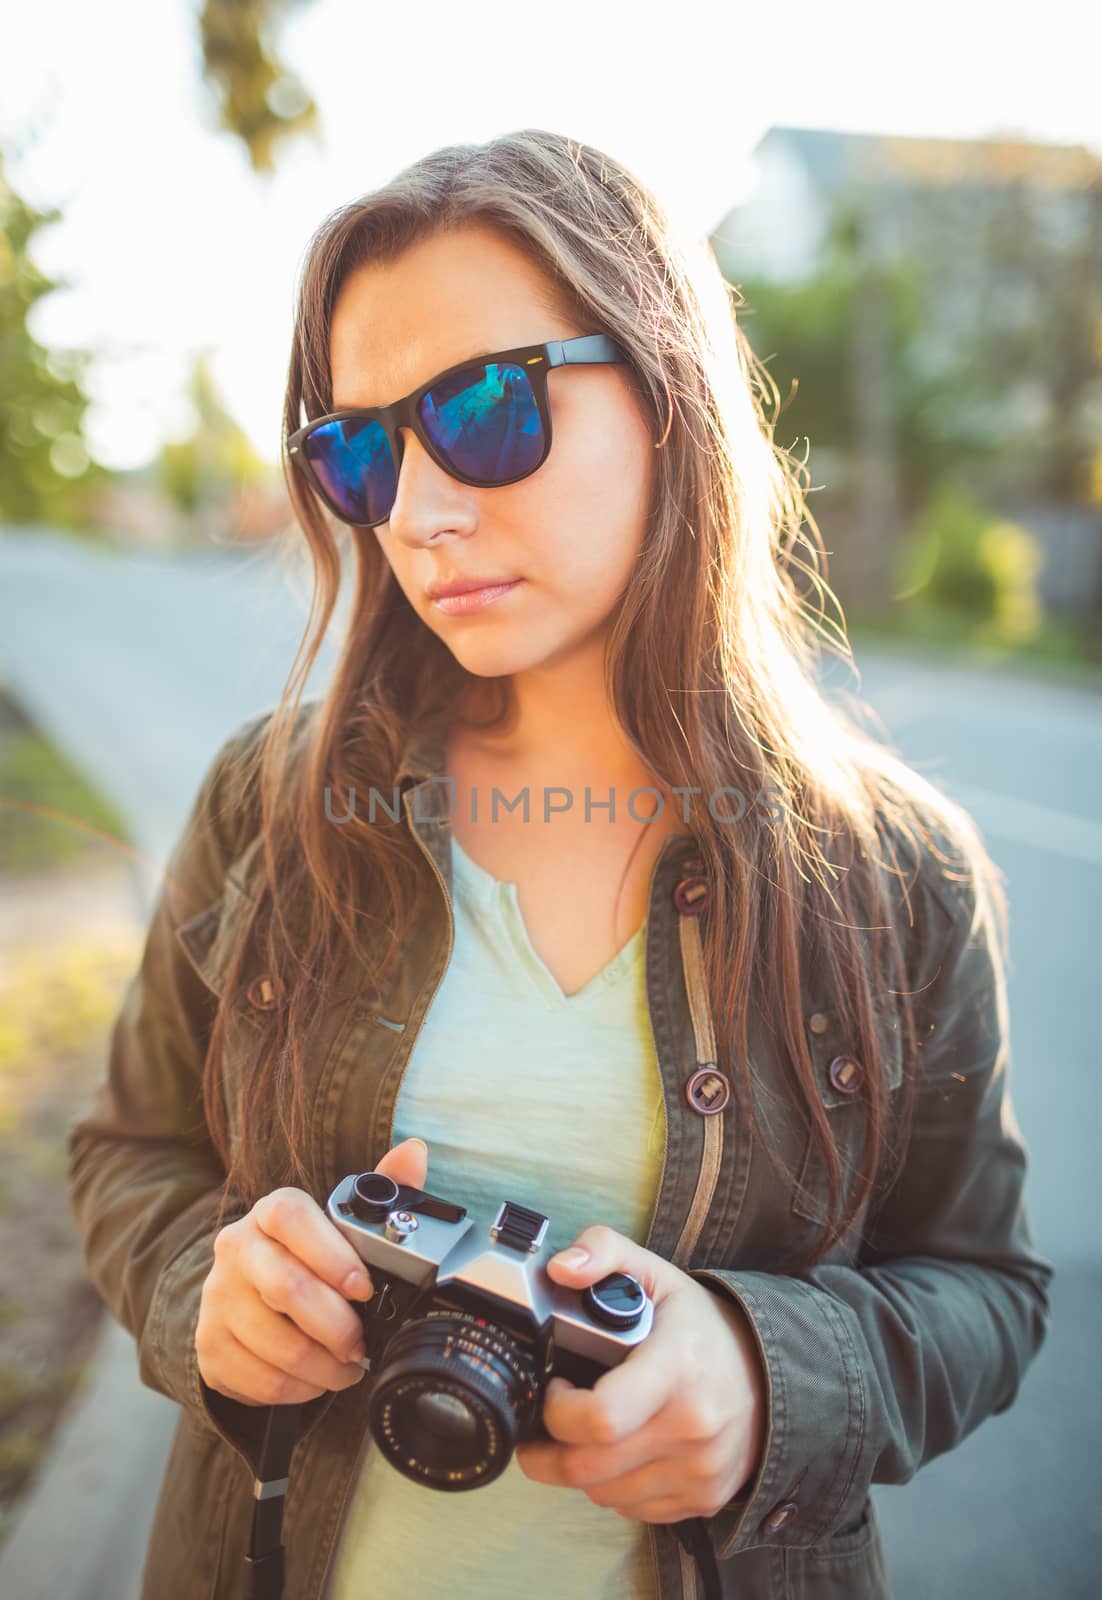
(589, 350)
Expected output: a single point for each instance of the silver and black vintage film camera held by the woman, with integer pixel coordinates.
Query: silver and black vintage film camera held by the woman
(466, 1329)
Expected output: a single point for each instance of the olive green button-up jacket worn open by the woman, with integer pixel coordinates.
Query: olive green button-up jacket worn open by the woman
(887, 1354)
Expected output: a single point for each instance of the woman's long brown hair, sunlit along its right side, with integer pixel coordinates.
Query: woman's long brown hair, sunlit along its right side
(716, 690)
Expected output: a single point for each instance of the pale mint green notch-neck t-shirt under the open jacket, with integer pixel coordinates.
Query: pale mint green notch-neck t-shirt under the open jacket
(556, 1102)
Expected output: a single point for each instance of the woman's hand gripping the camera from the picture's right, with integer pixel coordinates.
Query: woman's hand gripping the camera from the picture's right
(677, 1428)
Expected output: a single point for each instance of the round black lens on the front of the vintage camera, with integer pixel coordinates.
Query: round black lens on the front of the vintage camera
(452, 1401)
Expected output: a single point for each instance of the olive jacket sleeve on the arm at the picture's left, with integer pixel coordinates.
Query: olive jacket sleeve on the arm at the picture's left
(145, 1180)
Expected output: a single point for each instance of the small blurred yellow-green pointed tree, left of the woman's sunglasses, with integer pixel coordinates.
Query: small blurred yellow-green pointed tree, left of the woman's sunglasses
(204, 473)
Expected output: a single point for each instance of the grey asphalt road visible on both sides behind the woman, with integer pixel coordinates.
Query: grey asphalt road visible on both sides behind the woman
(142, 666)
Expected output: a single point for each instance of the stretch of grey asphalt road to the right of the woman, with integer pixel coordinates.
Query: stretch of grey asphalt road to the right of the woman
(1015, 1511)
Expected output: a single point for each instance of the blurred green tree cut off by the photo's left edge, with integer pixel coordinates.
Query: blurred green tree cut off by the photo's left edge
(47, 474)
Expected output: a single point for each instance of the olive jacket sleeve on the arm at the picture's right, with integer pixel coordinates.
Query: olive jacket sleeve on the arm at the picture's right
(879, 1367)
